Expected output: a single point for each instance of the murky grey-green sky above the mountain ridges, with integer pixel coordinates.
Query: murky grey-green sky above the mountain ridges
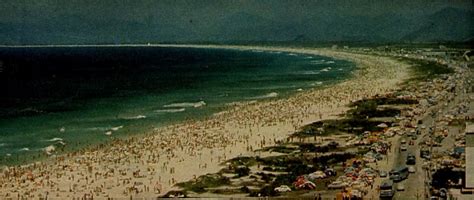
(185, 10)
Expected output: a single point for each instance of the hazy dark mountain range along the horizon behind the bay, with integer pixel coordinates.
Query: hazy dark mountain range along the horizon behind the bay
(449, 24)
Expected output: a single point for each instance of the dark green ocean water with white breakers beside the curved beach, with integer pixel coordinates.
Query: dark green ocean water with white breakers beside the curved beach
(74, 97)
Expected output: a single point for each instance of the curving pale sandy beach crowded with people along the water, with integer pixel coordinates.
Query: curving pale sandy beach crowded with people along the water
(149, 165)
